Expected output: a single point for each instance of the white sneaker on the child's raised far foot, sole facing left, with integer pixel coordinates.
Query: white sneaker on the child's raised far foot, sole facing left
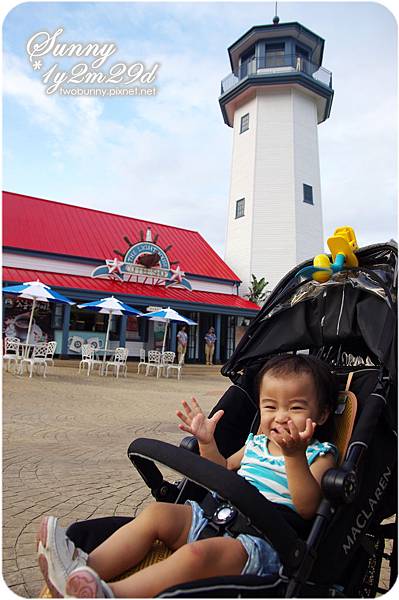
(57, 555)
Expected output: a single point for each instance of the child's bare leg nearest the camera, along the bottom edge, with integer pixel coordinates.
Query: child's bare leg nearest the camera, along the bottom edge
(201, 559)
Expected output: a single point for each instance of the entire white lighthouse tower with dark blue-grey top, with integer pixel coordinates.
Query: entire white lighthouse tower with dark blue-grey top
(274, 99)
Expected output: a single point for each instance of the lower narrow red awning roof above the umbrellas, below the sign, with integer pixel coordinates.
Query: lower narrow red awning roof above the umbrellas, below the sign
(109, 286)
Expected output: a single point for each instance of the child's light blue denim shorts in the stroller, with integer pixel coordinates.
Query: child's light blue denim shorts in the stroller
(262, 558)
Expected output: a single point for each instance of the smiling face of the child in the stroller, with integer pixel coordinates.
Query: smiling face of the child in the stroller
(288, 397)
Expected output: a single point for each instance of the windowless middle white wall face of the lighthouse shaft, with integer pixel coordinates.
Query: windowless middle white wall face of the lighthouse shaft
(273, 241)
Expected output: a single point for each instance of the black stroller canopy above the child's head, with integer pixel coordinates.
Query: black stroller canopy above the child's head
(351, 315)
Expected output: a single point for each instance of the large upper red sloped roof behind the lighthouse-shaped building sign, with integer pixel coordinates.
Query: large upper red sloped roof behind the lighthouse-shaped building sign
(46, 226)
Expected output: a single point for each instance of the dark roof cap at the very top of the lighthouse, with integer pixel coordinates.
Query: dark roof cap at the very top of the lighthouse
(259, 32)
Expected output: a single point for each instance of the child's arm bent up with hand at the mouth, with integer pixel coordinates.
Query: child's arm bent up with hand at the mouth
(303, 481)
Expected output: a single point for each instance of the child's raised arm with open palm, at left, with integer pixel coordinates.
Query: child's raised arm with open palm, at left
(196, 423)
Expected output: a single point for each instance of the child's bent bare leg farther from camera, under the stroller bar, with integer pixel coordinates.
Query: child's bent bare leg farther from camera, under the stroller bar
(169, 523)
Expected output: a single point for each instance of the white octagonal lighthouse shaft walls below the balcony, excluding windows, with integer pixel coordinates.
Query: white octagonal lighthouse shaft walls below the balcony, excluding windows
(270, 163)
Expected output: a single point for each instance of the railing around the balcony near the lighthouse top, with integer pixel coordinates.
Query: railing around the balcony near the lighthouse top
(274, 65)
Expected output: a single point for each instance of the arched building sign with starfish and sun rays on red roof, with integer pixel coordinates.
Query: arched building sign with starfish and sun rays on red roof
(144, 262)
